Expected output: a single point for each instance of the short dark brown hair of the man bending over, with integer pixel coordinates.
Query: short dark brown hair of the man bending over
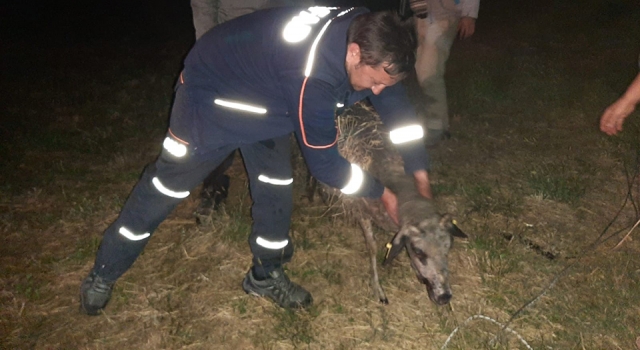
(384, 38)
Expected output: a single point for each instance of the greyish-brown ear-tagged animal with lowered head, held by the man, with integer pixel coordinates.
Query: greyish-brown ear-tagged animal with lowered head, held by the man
(426, 235)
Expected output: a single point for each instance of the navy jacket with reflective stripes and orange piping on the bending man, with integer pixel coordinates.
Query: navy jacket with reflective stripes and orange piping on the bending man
(294, 80)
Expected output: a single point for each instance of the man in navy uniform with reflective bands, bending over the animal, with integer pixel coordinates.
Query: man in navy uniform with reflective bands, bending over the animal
(248, 84)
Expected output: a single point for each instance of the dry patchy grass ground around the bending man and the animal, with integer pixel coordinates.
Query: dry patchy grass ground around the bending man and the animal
(527, 175)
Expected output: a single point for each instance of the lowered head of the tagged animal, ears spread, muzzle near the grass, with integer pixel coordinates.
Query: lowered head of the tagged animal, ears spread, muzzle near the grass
(428, 243)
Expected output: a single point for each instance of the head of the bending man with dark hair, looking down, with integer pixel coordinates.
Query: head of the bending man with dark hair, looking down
(380, 51)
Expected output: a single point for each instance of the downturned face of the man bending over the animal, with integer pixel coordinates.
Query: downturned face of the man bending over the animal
(362, 76)
